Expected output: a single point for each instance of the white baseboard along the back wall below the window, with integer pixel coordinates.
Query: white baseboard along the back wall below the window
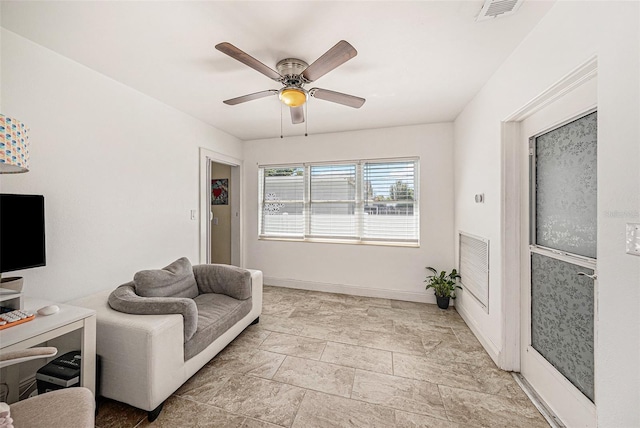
(353, 290)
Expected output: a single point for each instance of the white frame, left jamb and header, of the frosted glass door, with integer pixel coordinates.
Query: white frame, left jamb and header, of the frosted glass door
(511, 197)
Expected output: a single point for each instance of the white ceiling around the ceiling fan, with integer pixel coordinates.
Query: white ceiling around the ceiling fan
(418, 61)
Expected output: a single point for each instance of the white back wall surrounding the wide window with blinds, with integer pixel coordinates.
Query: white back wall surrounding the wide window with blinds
(394, 272)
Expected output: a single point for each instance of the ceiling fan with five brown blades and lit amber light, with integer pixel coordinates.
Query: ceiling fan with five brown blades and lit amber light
(294, 73)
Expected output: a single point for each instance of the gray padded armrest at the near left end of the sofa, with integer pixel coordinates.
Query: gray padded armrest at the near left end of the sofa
(124, 299)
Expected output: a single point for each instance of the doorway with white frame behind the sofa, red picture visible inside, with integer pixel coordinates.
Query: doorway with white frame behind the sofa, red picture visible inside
(220, 209)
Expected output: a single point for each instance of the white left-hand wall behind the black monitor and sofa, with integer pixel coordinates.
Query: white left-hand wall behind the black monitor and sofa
(118, 169)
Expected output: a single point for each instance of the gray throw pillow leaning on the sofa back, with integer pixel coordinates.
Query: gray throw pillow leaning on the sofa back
(175, 280)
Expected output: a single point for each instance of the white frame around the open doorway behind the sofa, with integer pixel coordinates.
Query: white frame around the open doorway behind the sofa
(235, 199)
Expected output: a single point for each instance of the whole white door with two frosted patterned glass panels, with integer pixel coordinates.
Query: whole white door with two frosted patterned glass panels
(560, 261)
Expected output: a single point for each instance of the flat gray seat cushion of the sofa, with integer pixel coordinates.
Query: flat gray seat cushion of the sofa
(217, 313)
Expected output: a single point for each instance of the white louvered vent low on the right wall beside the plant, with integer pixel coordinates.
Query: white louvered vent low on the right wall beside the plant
(474, 267)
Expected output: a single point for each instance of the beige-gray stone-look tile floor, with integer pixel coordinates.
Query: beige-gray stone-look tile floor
(330, 360)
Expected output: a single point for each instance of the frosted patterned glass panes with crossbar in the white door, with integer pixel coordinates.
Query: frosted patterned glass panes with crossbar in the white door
(562, 250)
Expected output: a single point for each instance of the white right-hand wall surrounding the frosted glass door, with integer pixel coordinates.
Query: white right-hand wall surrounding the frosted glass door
(566, 37)
